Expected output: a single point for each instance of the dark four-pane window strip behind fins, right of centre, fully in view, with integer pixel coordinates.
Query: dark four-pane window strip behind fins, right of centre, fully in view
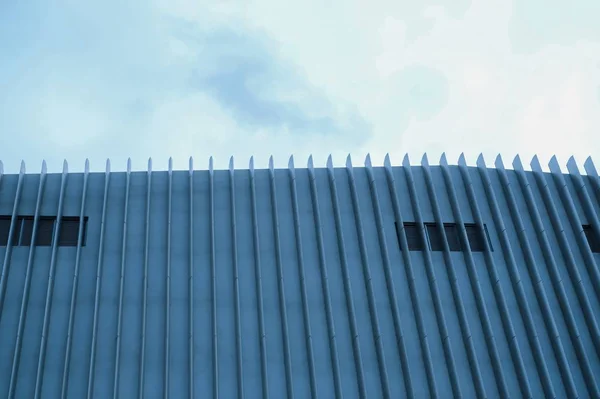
(475, 237)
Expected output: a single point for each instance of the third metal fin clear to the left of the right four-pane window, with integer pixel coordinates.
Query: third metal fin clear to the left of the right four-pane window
(362, 390)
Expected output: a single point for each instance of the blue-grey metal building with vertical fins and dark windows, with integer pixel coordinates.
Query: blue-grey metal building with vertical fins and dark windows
(392, 282)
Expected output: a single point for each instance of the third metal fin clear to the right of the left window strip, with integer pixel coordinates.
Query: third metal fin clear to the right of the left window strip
(145, 282)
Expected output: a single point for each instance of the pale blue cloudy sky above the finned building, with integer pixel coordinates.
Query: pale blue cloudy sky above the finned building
(182, 78)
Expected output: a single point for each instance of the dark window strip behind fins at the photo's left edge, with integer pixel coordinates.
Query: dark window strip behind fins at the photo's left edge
(23, 232)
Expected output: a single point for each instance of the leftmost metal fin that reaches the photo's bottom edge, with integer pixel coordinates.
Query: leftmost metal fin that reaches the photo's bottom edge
(25, 299)
